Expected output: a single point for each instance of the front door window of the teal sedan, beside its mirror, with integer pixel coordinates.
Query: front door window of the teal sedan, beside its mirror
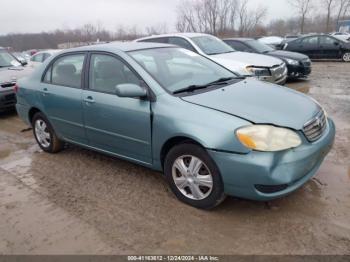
(106, 72)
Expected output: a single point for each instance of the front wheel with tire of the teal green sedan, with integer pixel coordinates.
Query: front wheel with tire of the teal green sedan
(193, 176)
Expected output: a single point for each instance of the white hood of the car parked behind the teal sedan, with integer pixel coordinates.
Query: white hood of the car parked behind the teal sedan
(231, 60)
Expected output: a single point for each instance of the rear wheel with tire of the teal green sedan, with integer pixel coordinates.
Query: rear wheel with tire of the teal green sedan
(45, 135)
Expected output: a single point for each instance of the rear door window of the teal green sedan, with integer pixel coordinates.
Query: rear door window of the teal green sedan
(67, 70)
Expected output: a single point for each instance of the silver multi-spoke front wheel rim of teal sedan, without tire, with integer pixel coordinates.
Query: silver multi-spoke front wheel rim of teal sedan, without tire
(192, 177)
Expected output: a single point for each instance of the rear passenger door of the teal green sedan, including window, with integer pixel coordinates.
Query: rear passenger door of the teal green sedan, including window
(61, 92)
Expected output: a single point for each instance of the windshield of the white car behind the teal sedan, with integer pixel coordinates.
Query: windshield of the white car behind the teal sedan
(211, 45)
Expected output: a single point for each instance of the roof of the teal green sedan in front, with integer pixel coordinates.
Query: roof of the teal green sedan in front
(119, 46)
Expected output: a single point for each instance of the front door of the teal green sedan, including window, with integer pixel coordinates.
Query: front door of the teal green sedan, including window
(118, 125)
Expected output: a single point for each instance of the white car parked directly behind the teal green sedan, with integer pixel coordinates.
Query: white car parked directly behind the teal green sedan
(263, 67)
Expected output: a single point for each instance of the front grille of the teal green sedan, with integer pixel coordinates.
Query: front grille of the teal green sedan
(315, 128)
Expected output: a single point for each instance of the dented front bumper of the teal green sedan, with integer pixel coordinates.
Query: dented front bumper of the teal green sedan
(293, 168)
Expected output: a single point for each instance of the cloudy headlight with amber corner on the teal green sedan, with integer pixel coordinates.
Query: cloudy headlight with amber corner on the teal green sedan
(268, 138)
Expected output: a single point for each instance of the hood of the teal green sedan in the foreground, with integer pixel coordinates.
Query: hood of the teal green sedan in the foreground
(260, 103)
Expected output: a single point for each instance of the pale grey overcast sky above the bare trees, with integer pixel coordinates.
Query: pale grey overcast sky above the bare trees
(21, 16)
